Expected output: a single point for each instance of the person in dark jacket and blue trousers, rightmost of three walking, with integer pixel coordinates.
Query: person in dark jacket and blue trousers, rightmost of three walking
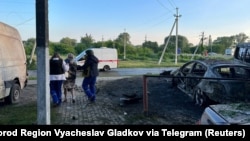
(90, 67)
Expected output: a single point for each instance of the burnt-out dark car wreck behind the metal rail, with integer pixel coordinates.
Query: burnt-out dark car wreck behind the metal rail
(211, 80)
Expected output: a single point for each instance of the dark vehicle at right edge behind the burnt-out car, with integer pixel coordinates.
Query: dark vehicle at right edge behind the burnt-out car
(242, 53)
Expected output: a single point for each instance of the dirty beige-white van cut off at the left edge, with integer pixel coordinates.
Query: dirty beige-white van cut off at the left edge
(13, 71)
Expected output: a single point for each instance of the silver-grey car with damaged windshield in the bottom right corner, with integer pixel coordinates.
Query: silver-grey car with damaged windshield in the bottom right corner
(226, 114)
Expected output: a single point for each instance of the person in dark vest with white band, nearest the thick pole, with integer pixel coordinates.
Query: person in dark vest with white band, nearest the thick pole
(58, 67)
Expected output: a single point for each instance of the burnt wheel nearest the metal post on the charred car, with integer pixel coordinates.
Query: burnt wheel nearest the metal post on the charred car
(199, 97)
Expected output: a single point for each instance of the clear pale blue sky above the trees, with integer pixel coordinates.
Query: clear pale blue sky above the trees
(143, 20)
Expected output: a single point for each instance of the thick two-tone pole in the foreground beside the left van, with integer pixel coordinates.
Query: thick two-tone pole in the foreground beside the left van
(42, 35)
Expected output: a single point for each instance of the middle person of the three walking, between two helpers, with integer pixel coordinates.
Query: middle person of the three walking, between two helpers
(69, 83)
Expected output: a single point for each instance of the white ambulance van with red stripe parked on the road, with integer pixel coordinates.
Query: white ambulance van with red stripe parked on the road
(108, 58)
